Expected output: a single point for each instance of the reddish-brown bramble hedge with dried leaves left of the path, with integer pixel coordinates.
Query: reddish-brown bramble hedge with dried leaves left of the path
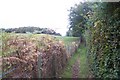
(21, 54)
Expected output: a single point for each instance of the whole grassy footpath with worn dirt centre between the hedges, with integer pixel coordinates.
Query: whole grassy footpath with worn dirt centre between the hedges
(77, 66)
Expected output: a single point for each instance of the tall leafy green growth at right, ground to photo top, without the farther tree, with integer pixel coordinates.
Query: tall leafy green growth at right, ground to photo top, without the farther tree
(104, 41)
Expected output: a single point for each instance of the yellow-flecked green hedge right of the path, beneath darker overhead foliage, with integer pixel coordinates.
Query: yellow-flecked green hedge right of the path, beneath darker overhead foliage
(104, 51)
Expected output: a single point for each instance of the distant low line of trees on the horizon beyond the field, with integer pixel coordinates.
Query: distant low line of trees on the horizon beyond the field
(29, 29)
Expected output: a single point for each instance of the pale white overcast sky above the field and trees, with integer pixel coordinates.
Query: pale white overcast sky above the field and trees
(39, 13)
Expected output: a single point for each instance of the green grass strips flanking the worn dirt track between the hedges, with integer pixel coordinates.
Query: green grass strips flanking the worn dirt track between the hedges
(84, 69)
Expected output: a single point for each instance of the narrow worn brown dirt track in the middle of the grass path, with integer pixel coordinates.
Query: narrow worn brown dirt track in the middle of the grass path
(76, 69)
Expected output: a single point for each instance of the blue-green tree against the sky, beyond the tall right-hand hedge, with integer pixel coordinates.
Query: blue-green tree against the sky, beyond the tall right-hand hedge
(78, 18)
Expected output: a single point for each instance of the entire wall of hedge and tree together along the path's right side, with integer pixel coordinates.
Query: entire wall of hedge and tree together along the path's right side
(99, 23)
